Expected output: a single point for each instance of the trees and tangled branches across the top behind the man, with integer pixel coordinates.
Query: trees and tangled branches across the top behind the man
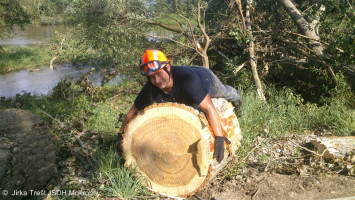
(302, 52)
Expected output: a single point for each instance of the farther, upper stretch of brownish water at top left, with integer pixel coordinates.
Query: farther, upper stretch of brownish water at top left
(33, 35)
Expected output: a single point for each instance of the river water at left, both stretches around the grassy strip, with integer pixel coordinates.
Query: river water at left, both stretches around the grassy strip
(42, 82)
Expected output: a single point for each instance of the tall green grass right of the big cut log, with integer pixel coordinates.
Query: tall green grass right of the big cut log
(286, 113)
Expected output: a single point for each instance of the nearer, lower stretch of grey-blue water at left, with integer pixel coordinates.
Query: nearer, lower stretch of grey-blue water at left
(42, 82)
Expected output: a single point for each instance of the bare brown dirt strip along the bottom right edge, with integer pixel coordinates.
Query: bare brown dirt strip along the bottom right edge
(267, 185)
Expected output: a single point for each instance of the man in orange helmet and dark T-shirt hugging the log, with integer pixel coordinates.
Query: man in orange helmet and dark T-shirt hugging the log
(188, 85)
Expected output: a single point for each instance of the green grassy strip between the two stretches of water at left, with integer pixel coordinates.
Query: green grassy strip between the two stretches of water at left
(17, 58)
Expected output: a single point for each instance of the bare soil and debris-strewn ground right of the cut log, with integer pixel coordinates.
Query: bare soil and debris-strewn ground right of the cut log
(286, 168)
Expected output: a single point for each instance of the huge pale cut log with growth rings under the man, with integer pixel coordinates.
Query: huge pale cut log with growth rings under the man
(172, 145)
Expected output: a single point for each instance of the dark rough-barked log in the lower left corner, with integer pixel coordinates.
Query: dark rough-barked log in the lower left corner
(27, 152)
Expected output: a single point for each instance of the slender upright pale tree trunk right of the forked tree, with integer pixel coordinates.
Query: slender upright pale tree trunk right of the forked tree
(253, 62)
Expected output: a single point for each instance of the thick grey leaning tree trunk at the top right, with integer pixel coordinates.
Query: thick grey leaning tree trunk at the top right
(309, 30)
